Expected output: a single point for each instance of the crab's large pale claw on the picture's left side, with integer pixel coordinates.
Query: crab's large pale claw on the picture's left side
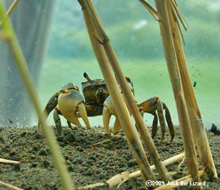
(71, 105)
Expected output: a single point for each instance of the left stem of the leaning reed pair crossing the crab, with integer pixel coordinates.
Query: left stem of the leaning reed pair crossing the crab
(122, 111)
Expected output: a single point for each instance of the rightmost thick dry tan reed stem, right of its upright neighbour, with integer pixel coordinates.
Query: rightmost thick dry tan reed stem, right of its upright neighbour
(192, 106)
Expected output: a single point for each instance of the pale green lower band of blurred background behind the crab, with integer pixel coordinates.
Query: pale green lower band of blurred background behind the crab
(150, 78)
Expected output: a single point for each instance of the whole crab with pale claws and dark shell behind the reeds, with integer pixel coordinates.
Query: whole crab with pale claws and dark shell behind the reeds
(97, 101)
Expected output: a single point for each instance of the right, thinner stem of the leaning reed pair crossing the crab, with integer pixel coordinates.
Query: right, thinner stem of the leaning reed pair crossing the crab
(127, 93)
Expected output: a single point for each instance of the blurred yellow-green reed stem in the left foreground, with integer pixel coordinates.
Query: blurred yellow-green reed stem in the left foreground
(24, 71)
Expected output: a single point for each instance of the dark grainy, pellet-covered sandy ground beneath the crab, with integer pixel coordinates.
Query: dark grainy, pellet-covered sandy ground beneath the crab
(87, 164)
